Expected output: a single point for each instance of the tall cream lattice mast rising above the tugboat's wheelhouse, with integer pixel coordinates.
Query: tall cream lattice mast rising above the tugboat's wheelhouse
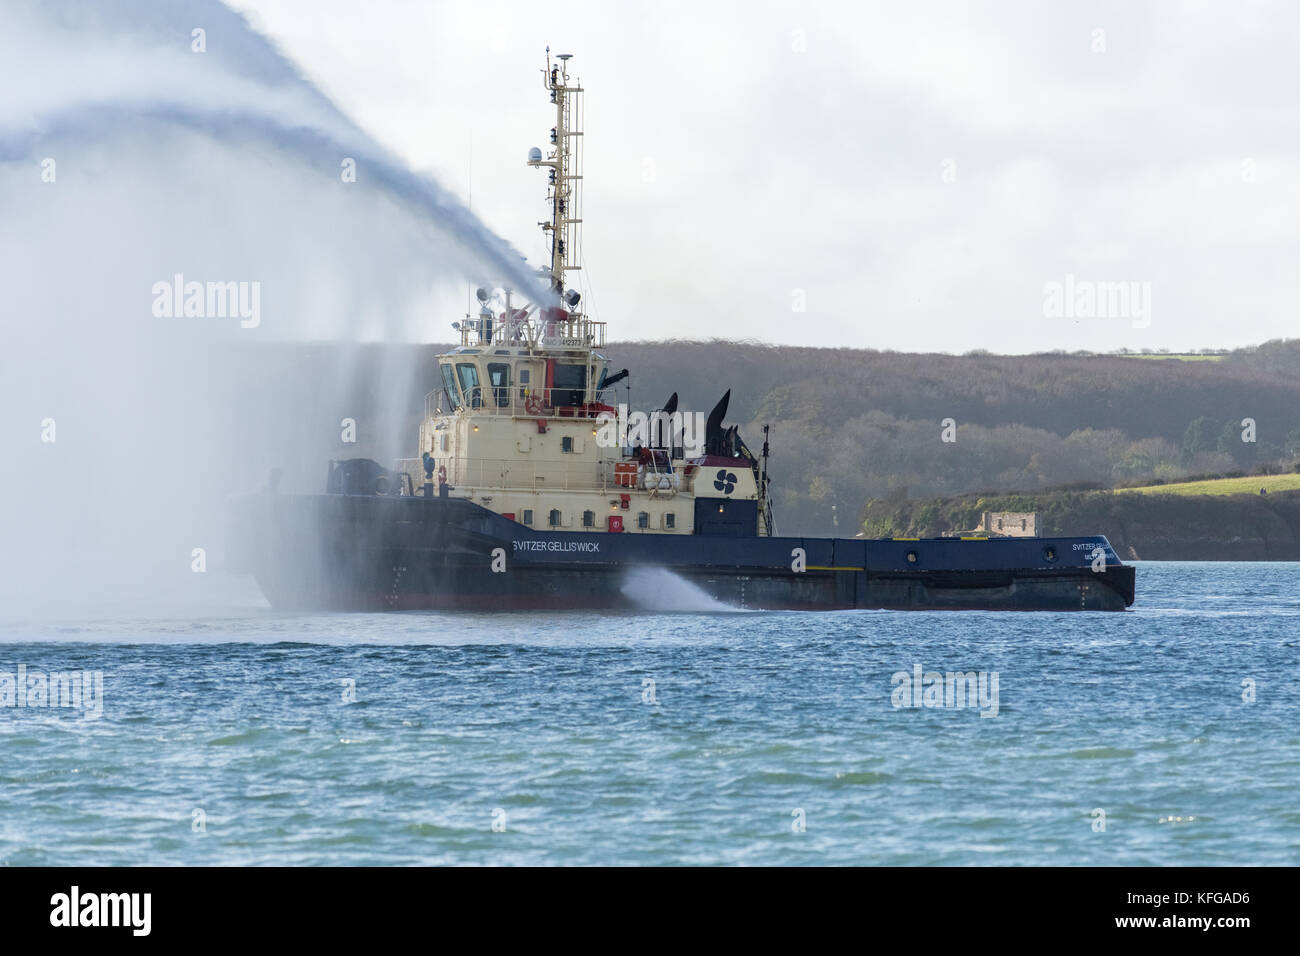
(565, 174)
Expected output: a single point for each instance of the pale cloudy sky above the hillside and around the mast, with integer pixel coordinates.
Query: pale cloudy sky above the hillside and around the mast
(913, 176)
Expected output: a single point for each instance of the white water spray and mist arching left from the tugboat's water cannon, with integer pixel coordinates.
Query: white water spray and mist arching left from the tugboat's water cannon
(127, 159)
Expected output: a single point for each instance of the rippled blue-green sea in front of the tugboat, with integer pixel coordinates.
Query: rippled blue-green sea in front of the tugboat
(682, 733)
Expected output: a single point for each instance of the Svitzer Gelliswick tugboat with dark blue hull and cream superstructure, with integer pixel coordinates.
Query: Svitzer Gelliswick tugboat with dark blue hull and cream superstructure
(532, 491)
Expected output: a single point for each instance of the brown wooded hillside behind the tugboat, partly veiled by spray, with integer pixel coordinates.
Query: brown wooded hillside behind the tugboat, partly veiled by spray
(852, 426)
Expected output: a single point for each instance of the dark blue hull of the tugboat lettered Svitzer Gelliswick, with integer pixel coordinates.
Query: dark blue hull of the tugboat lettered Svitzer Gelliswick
(348, 552)
